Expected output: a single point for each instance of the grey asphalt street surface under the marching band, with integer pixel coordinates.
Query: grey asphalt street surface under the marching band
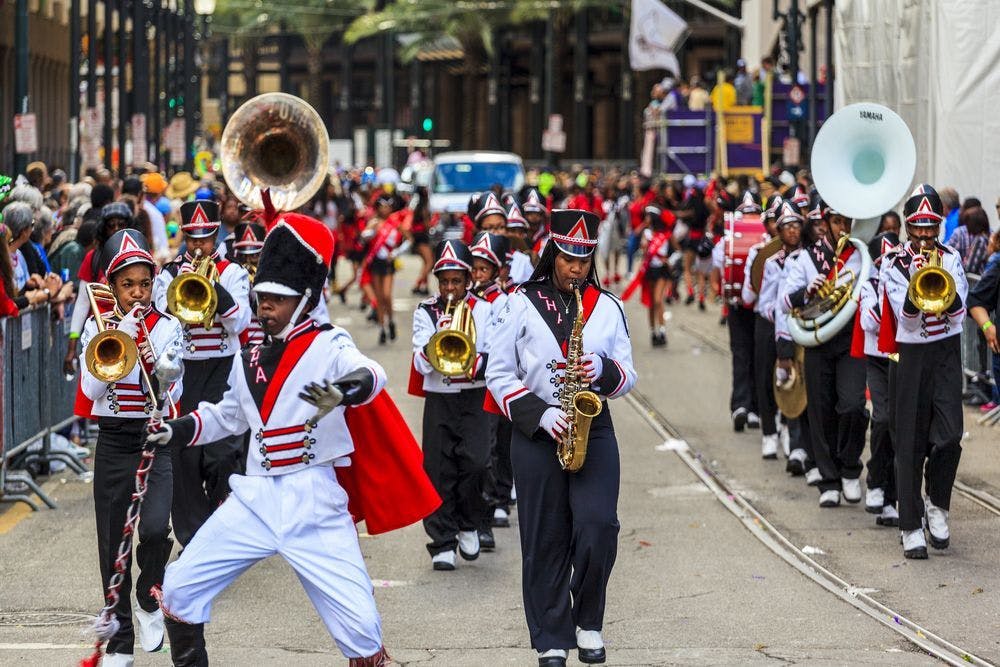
(691, 585)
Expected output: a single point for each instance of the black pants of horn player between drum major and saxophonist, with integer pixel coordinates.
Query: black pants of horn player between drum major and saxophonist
(458, 445)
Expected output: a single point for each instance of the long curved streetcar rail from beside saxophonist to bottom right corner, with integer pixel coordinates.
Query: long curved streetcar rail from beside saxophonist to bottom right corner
(781, 546)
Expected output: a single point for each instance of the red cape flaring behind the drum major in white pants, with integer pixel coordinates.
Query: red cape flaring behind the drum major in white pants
(386, 485)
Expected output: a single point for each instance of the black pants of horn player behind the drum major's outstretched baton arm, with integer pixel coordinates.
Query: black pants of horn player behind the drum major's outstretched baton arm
(201, 474)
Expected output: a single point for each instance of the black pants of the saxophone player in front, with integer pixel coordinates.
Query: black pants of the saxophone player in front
(569, 533)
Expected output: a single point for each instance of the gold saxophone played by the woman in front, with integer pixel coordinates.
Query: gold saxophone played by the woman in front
(579, 403)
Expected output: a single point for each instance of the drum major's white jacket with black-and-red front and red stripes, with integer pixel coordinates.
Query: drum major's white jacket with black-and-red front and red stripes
(263, 397)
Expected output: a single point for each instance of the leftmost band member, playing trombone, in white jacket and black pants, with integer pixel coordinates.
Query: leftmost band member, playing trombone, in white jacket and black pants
(122, 409)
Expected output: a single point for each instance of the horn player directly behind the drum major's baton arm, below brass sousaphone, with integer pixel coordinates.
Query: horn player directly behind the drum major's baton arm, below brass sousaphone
(201, 475)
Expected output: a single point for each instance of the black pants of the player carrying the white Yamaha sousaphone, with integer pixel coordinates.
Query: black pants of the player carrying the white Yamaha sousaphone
(838, 420)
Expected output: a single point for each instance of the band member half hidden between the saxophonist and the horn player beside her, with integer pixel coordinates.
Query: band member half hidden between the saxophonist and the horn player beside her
(488, 259)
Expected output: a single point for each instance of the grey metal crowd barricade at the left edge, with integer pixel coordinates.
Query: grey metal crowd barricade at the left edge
(37, 398)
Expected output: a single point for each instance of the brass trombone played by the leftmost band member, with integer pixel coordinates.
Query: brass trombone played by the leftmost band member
(112, 354)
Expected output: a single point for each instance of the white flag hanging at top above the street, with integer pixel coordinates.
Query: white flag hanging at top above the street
(654, 34)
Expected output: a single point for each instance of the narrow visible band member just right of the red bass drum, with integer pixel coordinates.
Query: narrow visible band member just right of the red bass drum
(763, 340)
